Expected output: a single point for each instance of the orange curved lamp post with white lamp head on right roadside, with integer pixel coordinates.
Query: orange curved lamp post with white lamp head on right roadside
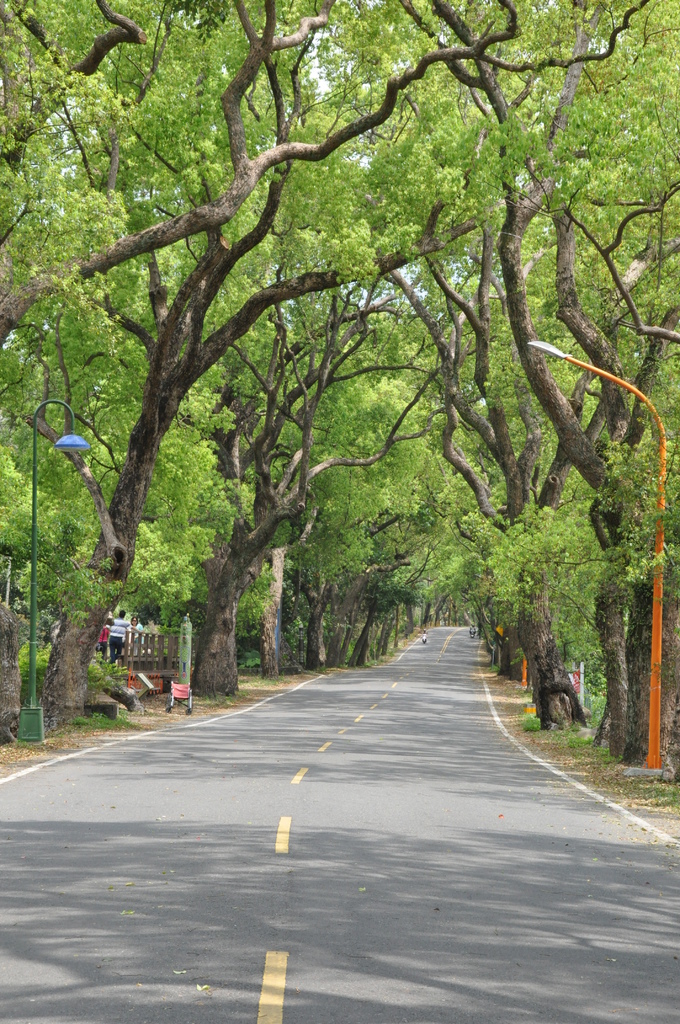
(654, 749)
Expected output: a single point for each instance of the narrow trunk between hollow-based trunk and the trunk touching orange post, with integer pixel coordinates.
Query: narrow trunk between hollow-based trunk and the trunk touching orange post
(610, 608)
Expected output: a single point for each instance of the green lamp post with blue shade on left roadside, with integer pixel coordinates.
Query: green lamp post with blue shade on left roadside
(31, 728)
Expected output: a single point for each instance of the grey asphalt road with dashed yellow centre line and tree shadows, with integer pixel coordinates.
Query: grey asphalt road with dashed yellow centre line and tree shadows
(435, 876)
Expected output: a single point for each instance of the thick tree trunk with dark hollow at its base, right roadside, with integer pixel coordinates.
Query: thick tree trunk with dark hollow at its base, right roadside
(557, 702)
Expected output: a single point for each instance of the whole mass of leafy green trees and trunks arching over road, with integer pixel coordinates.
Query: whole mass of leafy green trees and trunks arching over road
(285, 265)
